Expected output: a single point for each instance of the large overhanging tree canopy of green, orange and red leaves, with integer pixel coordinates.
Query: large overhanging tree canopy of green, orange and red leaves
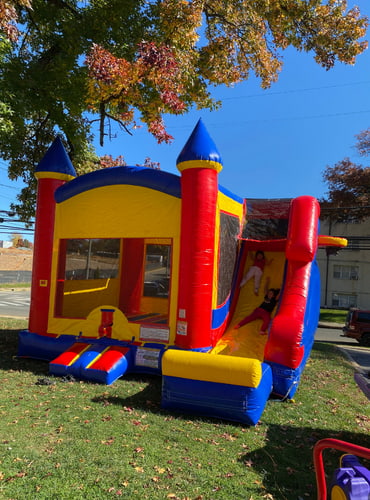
(133, 61)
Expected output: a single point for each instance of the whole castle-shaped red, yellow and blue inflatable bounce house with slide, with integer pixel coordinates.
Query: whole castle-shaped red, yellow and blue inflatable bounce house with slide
(139, 270)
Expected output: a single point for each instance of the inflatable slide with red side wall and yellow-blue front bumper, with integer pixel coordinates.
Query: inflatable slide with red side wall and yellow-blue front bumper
(245, 368)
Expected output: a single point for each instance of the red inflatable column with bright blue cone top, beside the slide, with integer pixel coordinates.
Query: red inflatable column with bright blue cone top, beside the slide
(199, 163)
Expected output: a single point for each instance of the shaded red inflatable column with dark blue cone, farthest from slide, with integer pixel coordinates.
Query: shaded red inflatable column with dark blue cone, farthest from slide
(53, 171)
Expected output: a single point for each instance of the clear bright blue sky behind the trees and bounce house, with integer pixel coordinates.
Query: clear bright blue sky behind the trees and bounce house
(274, 143)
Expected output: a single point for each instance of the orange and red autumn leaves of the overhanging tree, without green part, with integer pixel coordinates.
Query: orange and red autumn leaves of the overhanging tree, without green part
(172, 71)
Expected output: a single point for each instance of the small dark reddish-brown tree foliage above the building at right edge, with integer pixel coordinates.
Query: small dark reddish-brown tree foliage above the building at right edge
(348, 196)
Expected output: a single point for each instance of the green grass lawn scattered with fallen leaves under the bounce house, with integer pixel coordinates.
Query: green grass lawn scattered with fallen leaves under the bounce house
(77, 440)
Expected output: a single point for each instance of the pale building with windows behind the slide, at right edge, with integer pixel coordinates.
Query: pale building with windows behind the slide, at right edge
(345, 275)
